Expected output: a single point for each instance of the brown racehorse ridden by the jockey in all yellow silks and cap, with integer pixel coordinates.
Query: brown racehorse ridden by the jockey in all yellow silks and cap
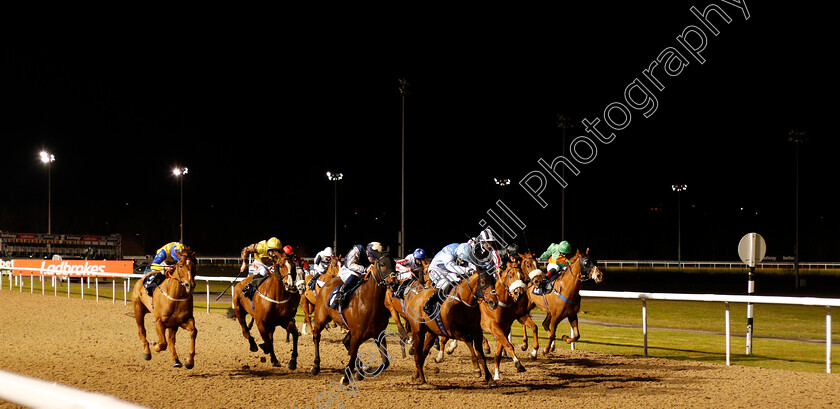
(274, 305)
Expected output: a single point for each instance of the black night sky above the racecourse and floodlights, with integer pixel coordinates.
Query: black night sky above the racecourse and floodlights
(259, 104)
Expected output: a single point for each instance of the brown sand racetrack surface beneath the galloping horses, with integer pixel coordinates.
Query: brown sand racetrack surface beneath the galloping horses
(94, 346)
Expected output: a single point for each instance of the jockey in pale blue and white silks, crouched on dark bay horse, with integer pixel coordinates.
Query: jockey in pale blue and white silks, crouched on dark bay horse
(449, 266)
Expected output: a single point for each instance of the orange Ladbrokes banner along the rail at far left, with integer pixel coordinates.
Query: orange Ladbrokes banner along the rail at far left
(74, 268)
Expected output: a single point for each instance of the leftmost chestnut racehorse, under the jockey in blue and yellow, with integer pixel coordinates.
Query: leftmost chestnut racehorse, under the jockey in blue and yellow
(171, 305)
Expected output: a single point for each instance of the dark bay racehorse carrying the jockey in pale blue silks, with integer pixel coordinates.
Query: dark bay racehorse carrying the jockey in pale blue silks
(458, 318)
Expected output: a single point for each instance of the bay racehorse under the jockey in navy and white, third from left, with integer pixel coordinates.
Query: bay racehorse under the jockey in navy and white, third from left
(365, 316)
